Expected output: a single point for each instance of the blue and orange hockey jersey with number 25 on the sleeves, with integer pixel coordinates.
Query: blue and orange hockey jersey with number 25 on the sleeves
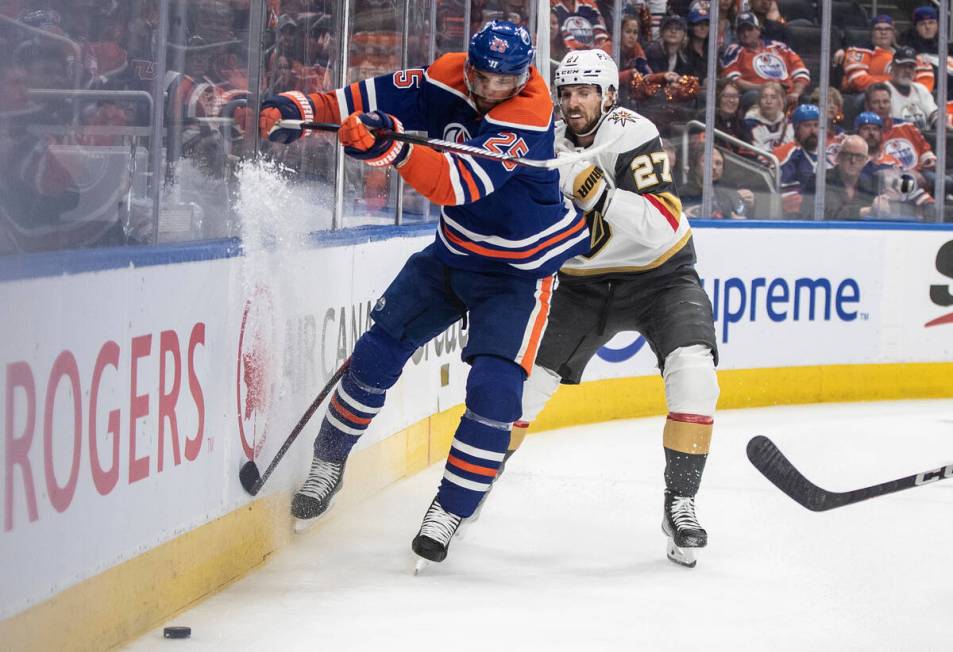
(495, 217)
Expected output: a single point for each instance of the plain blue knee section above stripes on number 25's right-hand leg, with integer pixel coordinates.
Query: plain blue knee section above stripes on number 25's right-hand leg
(495, 388)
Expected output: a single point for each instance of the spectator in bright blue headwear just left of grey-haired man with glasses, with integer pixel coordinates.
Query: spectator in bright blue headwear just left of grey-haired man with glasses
(798, 158)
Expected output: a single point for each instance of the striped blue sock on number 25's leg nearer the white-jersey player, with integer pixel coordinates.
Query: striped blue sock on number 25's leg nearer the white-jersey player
(494, 389)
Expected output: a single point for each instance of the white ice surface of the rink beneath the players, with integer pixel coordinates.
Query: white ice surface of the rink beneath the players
(569, 555)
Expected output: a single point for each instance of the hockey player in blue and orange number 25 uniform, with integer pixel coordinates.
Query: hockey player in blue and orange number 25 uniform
(503, 233)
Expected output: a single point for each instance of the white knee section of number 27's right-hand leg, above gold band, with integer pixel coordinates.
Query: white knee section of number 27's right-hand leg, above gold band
(691, 385)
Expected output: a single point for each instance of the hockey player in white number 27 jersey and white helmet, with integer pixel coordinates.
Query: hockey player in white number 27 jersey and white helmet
(639, 275)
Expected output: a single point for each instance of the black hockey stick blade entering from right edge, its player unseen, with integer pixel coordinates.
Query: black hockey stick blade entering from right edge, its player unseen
(772, 463)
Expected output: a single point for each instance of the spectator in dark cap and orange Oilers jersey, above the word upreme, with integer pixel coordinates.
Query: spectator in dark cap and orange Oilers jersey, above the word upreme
(754, 62)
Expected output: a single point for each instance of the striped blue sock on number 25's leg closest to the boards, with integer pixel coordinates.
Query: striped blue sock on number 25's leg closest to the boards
(376, 364)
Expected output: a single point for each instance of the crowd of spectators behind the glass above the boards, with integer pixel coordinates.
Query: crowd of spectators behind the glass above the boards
(127, 121)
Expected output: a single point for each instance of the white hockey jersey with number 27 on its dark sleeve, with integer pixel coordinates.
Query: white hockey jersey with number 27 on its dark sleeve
(643, 226)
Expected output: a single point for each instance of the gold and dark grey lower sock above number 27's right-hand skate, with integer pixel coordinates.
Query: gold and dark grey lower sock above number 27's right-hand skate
(686, 438)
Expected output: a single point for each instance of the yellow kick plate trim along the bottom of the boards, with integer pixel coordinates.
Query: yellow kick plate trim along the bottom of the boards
(136, 596)
